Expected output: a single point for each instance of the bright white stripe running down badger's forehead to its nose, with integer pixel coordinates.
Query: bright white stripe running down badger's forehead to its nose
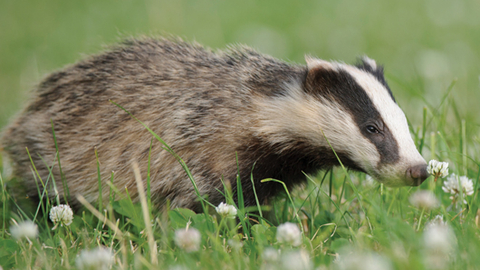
(392, 115)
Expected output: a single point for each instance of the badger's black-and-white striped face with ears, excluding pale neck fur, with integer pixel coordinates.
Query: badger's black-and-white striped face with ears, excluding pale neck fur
(377, 137)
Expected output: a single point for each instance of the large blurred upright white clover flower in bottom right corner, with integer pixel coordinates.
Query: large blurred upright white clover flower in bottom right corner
(439, 243)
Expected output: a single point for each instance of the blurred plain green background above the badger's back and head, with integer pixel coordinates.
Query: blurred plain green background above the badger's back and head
(425, 45)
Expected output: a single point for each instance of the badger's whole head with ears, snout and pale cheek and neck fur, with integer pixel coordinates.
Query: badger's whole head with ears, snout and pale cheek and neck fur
(354, 109)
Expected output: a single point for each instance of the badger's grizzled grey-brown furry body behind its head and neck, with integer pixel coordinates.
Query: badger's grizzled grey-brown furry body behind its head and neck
(198, 101)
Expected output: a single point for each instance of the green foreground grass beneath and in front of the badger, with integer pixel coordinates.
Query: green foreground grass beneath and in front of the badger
(340, 214)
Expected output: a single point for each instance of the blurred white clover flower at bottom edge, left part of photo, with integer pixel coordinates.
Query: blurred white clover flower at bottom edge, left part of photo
(96, 259)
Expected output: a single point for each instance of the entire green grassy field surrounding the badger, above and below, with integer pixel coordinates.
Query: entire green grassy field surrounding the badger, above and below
(432, 59)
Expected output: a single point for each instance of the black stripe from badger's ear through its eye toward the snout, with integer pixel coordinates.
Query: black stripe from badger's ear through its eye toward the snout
(341, 87)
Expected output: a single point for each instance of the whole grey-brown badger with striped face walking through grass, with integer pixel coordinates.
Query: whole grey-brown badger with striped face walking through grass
(227, 114)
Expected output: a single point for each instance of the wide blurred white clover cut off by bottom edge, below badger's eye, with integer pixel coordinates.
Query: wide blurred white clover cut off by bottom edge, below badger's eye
(350, 259)
